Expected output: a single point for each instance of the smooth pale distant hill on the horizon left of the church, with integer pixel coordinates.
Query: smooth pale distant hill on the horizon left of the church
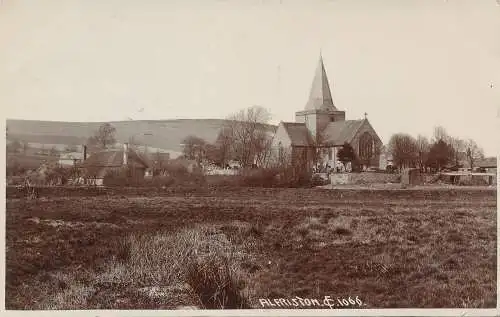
(165, 134)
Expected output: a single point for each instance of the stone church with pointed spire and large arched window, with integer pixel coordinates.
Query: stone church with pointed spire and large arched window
(321, 129)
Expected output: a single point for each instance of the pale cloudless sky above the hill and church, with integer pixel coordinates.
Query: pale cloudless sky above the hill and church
(410, 65)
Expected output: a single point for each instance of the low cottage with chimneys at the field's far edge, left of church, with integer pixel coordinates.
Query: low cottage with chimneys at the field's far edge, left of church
(102, 163)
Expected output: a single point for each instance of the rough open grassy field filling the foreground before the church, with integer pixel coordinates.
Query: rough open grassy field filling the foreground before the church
(123, 250)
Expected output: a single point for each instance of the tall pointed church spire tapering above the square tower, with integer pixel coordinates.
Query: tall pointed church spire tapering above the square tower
(320, 96)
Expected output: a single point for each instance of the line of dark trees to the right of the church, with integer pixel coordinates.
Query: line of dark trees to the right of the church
(443, 150)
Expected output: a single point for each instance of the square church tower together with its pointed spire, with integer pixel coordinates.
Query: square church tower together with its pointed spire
(320, 109)
